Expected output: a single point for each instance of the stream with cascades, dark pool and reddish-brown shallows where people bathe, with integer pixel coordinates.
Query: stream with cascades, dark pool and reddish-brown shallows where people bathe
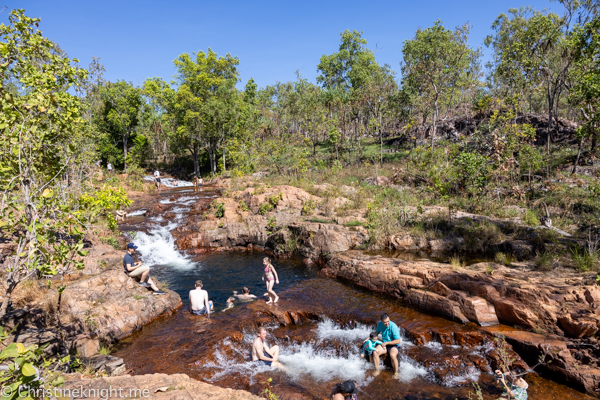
(320, 347)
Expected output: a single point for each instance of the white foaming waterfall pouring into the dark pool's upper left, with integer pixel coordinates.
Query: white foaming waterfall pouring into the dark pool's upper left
(158, 248)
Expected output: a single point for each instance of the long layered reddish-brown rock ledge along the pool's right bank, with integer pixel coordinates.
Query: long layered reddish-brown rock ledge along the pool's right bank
(489, 294)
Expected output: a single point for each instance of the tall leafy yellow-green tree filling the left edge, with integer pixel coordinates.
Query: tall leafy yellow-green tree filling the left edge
(41, 122)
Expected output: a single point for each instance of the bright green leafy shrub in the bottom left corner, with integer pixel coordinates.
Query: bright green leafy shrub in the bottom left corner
(27, 371)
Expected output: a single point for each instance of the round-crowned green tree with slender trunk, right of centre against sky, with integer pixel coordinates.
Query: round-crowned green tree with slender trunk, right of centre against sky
(437, 64)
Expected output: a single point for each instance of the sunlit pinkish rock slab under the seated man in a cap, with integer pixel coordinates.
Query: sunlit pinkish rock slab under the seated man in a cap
(113, 306)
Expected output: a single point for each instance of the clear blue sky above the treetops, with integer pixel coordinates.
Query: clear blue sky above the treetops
(272, 39)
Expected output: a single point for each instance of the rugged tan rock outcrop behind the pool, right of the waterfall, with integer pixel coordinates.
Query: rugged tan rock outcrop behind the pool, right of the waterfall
(283, 218)
